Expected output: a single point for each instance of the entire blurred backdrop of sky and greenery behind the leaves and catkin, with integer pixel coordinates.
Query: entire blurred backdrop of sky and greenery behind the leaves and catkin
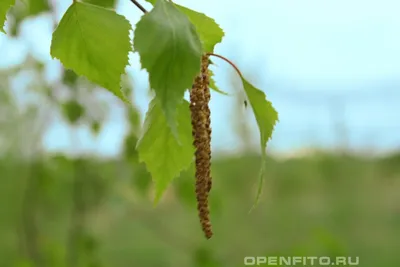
(72, 190)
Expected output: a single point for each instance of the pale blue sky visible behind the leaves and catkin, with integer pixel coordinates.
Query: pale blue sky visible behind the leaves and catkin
(301, 53)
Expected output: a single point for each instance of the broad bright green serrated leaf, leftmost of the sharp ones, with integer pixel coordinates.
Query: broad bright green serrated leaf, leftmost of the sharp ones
(93, 42)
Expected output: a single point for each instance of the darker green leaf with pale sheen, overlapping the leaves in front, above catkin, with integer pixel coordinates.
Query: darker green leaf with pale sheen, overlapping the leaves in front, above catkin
(170, 50)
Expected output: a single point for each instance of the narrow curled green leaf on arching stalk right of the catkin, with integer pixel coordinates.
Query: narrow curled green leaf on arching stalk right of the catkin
(266, 117)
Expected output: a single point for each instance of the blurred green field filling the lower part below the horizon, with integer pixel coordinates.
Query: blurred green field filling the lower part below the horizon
(58, 211)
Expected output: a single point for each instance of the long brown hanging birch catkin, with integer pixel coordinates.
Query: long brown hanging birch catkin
(201, 130)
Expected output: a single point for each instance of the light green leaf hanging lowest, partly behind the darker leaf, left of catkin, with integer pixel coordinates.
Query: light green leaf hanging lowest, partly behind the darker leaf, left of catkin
(165, 157)
